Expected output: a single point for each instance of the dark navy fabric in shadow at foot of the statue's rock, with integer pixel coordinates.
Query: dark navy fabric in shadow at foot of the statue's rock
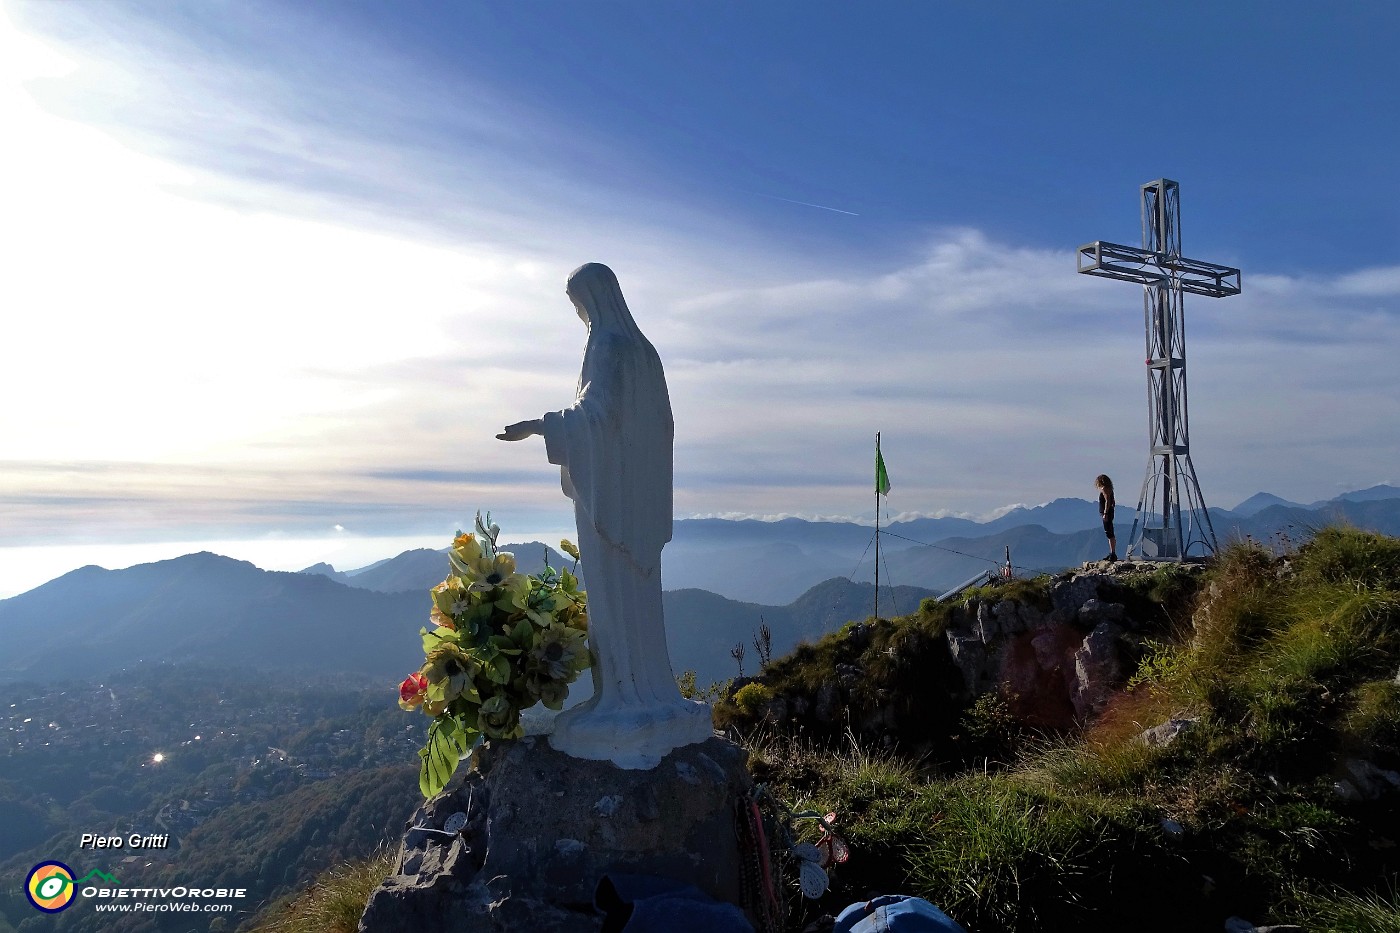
(647, 904)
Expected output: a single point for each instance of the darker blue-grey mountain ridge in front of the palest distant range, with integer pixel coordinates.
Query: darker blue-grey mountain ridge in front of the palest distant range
(205, 607)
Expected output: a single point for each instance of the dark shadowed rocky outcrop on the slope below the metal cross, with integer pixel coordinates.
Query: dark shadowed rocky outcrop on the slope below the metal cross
(1055, 658)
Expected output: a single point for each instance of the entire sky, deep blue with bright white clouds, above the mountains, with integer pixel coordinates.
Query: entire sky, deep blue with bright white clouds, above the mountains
(276, 274)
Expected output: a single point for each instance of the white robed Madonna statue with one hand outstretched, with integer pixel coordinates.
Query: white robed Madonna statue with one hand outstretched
(614, 448)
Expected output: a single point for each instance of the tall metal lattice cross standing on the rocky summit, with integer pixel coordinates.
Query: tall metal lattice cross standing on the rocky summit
(1163, 530)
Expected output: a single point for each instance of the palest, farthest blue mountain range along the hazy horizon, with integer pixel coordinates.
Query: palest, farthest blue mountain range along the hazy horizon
(776, 562)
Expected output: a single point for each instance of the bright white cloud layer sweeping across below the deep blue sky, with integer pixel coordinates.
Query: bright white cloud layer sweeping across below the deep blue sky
(206, 345)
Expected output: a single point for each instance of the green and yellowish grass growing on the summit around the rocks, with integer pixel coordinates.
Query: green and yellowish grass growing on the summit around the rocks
(1287, 663)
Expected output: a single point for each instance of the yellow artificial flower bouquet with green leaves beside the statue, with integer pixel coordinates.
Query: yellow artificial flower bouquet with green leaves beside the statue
(502, 642)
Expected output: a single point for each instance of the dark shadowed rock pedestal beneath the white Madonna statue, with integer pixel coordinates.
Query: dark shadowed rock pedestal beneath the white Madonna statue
(542, 829)
